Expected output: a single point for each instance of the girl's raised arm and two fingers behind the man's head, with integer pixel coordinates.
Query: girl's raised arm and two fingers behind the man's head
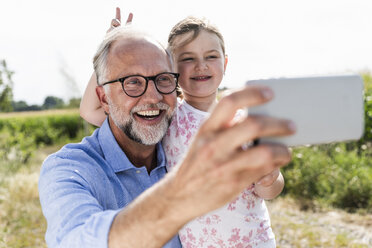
(90, 107)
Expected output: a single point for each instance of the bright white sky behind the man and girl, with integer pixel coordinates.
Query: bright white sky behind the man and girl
(50, 44)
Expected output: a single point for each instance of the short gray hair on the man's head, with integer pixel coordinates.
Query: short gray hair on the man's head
(100, 58)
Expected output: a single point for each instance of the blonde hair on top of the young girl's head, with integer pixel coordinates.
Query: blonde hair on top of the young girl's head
(195, 25)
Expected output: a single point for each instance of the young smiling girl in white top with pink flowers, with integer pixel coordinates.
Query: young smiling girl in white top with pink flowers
(199, 54)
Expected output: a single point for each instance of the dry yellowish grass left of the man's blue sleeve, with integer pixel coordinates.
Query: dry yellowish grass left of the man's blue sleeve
(22, 223)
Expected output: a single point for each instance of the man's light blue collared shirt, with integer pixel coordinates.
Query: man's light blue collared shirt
(83, 186)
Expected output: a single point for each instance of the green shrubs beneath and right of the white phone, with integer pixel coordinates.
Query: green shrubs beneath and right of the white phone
(339, 174)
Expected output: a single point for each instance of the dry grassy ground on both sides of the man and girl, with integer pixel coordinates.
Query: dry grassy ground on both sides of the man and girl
(23, 225)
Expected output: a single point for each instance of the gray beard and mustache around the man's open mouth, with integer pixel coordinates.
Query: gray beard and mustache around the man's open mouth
(143, 134)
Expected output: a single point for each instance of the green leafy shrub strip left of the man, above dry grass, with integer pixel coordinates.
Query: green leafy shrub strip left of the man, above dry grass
(21, 135)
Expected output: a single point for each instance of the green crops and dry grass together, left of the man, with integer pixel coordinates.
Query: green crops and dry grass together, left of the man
(26, 139)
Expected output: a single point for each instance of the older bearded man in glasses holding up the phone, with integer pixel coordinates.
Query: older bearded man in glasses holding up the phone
(110, 190)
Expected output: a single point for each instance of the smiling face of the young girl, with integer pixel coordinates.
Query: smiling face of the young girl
(201, 64)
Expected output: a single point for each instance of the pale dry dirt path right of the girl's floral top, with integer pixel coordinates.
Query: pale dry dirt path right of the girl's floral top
(322, 228)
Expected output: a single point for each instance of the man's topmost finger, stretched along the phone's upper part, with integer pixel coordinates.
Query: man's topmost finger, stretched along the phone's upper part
(225, 110)
